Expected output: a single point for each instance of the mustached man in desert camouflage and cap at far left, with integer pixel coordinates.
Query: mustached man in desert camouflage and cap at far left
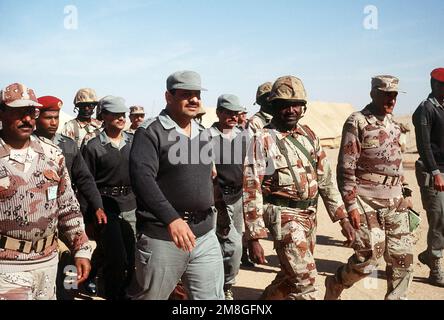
(36, 201)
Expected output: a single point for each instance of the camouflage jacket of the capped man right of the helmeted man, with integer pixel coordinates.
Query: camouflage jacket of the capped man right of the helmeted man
(369, 145)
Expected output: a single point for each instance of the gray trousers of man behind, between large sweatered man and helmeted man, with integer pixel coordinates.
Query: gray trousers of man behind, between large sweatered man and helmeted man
(231, 245)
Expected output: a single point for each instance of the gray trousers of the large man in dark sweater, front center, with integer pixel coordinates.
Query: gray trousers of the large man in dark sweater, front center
(160, 265)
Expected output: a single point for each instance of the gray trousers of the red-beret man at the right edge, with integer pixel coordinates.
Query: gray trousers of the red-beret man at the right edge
(433, 203)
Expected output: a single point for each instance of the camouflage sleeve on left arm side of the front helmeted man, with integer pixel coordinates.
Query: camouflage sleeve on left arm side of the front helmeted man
(254, 169)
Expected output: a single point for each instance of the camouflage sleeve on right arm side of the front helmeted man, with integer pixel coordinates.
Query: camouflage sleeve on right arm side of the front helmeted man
(327, 187)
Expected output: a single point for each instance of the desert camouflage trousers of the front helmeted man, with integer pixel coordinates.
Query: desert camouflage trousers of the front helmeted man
(295, 247)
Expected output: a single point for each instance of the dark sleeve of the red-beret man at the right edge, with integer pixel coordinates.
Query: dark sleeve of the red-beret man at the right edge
(423, 120)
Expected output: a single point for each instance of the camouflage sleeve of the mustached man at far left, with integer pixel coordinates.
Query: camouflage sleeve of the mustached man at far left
(70, 219)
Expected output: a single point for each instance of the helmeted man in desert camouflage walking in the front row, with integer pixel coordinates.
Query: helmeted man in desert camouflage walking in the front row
(285, 171)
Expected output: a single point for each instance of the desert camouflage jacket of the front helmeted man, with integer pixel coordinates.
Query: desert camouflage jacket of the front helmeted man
(267, 174)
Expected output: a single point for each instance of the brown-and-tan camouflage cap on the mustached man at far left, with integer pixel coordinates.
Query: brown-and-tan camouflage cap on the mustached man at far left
(17, 95)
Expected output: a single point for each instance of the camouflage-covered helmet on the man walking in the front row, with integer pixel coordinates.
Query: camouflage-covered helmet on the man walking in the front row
(288, 88)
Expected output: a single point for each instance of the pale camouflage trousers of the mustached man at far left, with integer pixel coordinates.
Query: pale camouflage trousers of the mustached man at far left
(38, 284)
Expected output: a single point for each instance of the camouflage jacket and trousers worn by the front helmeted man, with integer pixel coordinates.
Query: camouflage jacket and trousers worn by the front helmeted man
(267, 174)
